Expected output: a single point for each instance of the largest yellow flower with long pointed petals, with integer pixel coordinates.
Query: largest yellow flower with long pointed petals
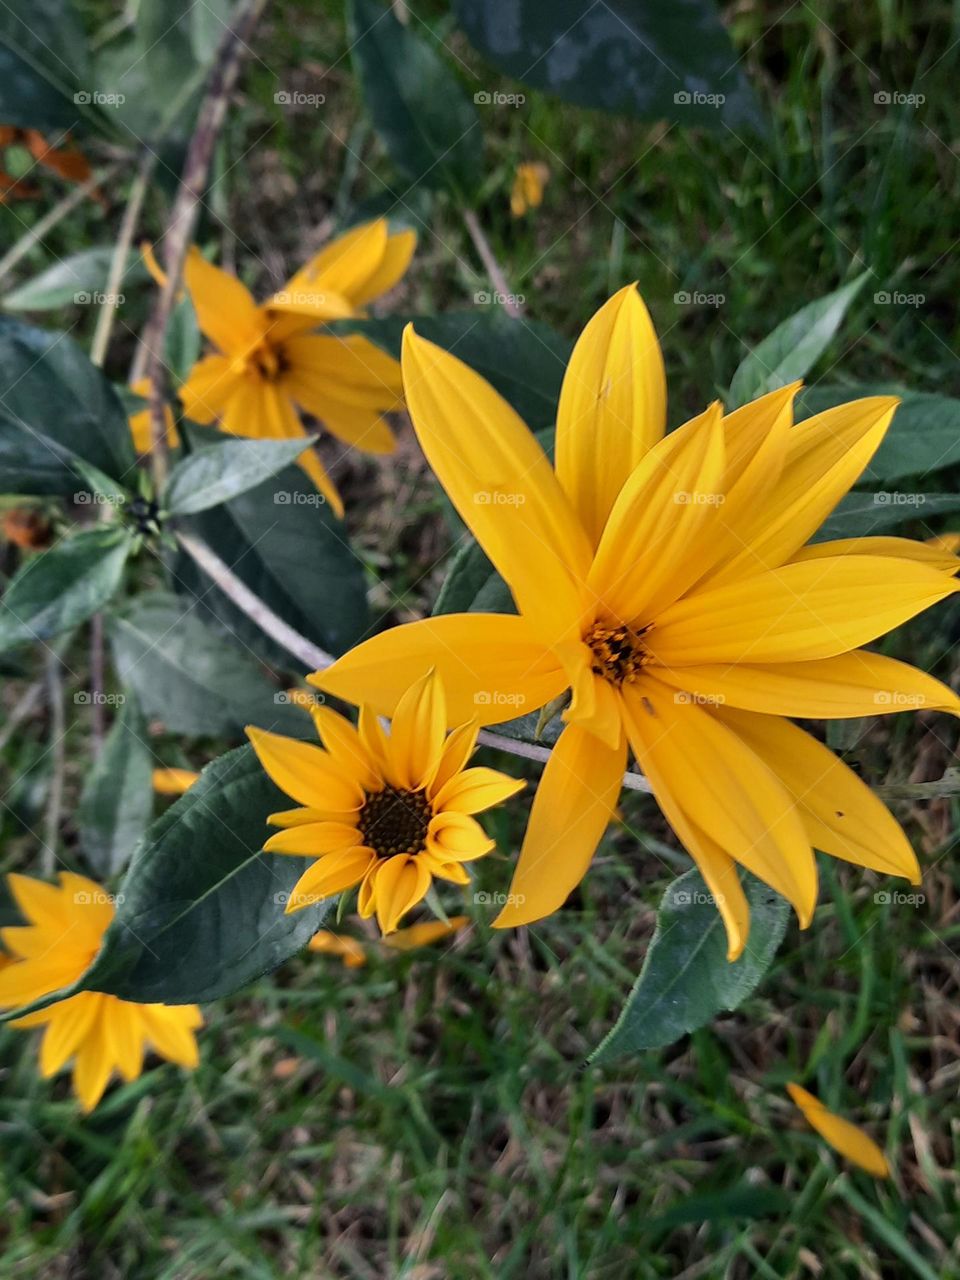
(665, 582)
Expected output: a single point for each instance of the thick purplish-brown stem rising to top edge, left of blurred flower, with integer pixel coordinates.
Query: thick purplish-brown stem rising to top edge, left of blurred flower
(184, 217)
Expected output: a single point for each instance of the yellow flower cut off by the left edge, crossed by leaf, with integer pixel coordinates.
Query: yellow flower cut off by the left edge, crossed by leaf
(100, 1034)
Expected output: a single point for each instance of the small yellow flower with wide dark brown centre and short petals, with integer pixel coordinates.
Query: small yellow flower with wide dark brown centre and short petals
(385, 812)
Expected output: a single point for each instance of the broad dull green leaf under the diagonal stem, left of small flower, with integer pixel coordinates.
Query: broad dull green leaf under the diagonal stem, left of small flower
(190, 678)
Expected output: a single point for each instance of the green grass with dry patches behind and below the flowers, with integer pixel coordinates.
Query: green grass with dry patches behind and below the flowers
(431, 1117)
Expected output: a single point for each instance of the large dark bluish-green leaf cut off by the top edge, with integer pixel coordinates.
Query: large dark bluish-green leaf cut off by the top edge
(655, 61)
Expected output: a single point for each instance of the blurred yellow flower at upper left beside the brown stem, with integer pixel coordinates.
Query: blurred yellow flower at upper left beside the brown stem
(268, 364)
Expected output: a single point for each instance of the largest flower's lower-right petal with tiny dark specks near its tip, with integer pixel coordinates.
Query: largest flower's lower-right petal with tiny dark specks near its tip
(843, 817)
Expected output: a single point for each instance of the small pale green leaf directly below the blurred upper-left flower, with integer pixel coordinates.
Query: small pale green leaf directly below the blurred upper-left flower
(218, 473)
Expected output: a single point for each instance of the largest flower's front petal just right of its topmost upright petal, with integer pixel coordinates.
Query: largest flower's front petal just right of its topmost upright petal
(646, 559)
